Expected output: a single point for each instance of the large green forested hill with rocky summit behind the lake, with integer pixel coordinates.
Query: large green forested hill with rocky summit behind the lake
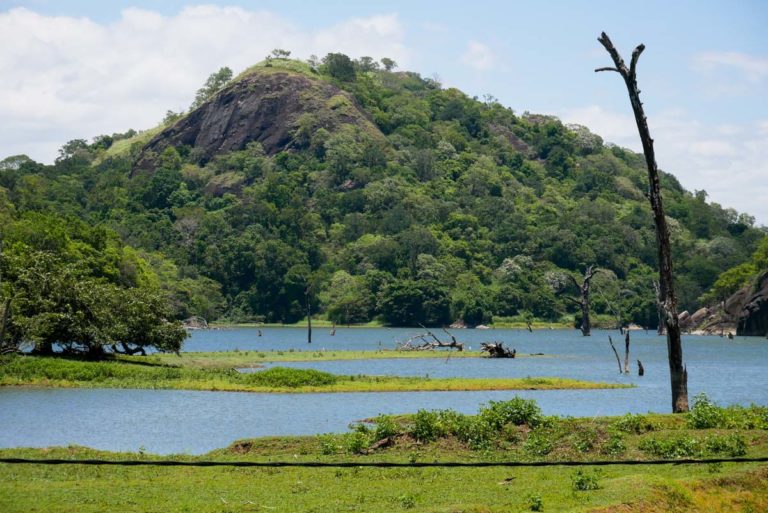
(371, 192)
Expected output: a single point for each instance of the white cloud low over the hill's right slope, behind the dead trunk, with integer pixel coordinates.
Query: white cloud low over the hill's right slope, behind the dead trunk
(729, 161)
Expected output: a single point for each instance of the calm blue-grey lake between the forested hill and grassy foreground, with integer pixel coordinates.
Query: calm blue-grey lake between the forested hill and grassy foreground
(170, 421)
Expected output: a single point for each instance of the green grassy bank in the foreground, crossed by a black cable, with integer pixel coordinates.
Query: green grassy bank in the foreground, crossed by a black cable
(516, 431)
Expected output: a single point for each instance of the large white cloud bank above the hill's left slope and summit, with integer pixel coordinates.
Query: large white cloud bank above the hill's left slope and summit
(67, 78)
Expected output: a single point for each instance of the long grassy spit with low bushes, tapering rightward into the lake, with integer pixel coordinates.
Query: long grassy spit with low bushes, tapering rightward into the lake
(122, 373)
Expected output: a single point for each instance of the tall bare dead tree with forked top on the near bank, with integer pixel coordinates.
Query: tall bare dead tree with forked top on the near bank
(667, 299)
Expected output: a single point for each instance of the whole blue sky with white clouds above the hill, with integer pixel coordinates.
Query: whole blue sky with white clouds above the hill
(704, 74)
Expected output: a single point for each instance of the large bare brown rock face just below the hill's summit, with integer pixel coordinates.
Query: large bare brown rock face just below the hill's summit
(264, 106)
